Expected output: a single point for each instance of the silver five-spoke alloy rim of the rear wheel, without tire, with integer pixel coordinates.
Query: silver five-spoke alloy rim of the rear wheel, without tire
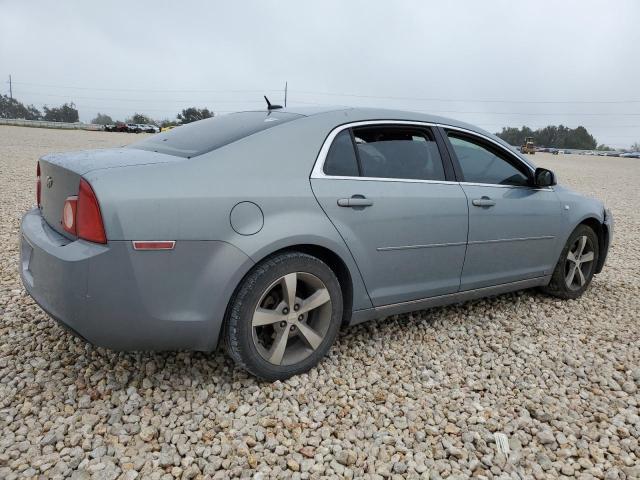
(291, 319)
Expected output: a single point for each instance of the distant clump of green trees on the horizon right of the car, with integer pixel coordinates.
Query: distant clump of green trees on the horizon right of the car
(552, 136)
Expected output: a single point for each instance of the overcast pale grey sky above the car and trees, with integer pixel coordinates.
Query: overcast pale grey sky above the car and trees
(490, 63)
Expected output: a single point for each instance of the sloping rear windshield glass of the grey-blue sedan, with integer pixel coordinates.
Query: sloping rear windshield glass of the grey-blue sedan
(206, 135)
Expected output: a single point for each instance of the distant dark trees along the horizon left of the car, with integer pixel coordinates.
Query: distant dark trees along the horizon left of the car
(67, 112)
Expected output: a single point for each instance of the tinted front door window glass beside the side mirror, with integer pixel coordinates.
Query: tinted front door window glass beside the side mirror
(481, 165)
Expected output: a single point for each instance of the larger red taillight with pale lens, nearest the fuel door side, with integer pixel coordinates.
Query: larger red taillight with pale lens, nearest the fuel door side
(81, 215)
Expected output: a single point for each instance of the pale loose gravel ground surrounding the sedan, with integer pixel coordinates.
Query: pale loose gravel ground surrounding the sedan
(517, 386)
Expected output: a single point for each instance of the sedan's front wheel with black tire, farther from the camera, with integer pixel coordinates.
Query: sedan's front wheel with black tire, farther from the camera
(571, 278)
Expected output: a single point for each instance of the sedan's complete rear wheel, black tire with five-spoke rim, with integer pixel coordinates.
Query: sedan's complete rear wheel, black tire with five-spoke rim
(260, 320)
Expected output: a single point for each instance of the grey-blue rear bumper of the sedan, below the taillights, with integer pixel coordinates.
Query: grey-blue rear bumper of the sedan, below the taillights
(119, 298)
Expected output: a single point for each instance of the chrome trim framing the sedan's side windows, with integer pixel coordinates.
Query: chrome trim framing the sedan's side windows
(318, 168)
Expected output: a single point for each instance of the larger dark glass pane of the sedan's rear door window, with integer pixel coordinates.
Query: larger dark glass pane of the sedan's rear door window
(398, 152)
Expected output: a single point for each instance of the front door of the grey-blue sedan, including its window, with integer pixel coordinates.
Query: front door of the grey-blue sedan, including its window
(513, 227)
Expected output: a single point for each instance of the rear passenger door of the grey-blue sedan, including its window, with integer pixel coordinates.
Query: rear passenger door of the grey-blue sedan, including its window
(392, 198)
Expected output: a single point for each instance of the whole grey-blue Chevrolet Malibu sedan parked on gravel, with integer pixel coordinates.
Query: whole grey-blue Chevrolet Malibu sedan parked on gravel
(266, 231)
